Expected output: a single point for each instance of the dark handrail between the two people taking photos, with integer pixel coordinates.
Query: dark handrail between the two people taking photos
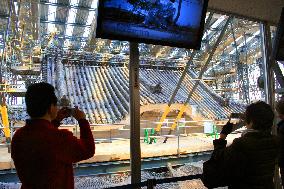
(150, 183)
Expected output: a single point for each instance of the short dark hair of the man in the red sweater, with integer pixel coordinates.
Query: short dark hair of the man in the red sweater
(39, 98)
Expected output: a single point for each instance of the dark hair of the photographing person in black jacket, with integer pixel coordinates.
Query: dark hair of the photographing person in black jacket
(260, 114)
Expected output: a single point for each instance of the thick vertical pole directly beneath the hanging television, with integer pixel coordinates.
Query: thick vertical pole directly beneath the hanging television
(135, 152)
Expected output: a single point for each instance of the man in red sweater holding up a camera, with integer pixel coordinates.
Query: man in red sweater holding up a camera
(42, 153)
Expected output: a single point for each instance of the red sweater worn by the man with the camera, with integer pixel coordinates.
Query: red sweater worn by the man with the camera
(43, 154)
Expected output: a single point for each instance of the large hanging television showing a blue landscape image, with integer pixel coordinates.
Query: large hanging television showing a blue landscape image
(176, 23)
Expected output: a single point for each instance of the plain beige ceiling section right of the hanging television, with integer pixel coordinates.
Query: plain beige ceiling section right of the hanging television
(262, 10)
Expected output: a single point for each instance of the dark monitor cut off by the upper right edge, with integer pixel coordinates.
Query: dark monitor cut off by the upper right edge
(279, 39)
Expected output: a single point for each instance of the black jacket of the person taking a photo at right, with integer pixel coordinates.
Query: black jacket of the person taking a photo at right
(248, 163)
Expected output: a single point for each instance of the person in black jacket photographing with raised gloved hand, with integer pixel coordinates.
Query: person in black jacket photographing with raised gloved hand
(249, 162)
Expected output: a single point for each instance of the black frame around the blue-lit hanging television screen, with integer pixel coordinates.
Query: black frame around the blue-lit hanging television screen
(101, 34)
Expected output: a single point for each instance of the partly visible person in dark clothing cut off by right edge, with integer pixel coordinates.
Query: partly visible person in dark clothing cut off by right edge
(280, 133)
